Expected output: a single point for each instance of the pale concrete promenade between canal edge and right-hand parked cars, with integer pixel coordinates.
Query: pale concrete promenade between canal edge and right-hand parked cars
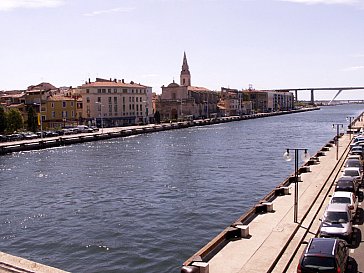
(272, 242)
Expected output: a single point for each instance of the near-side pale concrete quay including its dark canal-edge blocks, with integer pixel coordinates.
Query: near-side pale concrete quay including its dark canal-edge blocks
(267, 229)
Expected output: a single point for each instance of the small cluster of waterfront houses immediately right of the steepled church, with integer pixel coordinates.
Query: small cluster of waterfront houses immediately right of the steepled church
(233, 102)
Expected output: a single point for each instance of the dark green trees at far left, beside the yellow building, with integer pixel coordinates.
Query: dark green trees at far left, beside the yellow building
(12, 120)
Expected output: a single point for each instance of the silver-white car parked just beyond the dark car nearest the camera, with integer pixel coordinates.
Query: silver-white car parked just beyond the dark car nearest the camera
(337, 222)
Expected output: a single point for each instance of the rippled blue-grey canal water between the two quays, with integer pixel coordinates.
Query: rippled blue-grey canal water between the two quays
(147, 203)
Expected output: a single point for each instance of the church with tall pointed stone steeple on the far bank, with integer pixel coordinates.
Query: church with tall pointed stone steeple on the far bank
(183, 101)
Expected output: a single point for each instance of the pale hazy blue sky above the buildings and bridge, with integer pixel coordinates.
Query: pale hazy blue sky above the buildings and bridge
(231, 43)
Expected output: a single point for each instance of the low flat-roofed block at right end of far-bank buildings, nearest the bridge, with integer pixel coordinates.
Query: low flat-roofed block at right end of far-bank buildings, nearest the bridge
(269, 101)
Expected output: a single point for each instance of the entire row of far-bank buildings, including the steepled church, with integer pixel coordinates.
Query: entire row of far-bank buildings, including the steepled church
(114, 102)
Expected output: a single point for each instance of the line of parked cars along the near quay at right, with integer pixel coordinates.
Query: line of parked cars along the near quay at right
(330, 252)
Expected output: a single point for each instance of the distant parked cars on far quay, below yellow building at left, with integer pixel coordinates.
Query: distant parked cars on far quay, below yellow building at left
(65, 131)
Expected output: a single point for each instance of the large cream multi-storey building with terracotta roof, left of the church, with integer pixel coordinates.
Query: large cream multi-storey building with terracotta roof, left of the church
(114, 102)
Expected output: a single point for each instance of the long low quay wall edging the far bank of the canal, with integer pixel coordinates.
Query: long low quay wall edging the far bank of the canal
(108, 133)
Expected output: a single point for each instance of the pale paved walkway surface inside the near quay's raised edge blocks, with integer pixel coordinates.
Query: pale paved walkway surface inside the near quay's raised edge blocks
(270, 232)
